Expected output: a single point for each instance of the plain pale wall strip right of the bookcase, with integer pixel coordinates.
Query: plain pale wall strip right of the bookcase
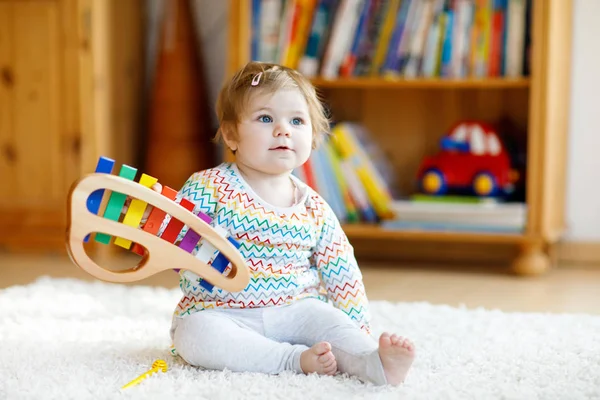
(583, 191)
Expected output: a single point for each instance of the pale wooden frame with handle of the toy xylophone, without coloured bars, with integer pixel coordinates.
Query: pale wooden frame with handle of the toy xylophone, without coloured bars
(161, 255)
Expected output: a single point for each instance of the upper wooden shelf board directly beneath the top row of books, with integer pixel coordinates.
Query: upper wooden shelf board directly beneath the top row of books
(429, 83)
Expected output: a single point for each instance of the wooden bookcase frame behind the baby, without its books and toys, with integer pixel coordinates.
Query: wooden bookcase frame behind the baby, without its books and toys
(408, 116)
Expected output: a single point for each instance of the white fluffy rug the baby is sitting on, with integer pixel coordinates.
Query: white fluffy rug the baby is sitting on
(67, 339)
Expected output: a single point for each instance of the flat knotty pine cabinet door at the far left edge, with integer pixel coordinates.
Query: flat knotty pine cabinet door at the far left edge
(32, 120)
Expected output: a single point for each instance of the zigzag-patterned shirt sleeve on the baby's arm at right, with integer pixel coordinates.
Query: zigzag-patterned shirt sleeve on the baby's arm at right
(334, 258)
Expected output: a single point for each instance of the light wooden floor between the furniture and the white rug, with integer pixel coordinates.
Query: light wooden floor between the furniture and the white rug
(564, 289)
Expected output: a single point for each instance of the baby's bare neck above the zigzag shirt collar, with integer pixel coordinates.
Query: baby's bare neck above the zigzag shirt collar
(277, 190)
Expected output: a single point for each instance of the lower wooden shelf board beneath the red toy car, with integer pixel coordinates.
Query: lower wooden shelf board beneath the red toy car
(375, 232)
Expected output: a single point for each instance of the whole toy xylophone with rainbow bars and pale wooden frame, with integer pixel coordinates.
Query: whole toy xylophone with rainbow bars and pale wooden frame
(85, 220)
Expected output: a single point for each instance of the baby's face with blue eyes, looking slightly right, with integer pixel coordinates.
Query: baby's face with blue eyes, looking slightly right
(275, 135)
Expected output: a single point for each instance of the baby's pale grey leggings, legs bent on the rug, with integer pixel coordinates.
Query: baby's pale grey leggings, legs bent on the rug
(271, 339)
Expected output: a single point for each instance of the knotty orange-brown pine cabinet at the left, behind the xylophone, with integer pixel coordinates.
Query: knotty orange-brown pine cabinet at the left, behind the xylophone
(70, 77)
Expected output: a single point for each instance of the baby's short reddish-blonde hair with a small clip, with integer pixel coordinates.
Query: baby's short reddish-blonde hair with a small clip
(259, 77)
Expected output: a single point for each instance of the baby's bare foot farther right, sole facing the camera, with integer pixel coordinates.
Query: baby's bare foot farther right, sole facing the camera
(396, 355)
